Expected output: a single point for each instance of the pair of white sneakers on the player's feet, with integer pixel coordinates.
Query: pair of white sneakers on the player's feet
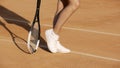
(53, 44)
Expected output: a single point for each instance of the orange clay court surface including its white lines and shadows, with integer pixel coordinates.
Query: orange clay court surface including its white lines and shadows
(92, 33)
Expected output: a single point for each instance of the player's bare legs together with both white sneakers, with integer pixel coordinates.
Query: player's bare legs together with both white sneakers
(65, 9)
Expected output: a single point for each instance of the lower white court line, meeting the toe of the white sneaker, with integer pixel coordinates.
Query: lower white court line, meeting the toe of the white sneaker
(78, 53)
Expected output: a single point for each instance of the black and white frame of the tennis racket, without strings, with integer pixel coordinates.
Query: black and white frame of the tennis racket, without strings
(35, 20)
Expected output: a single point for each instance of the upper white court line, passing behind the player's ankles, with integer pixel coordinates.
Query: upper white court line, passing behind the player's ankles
(70, 28)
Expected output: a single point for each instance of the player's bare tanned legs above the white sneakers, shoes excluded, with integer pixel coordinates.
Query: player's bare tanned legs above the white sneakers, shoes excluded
(64, 11)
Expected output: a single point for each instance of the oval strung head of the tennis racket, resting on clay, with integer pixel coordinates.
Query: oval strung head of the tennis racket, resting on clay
(33, 38)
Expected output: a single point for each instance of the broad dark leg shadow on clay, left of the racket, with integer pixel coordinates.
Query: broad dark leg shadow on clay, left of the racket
(12, 18)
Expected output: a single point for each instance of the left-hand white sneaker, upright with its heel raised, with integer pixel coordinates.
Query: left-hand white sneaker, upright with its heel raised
(51, 40)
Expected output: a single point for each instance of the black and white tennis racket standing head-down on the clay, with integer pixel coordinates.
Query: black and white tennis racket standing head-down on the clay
(34, 33)
